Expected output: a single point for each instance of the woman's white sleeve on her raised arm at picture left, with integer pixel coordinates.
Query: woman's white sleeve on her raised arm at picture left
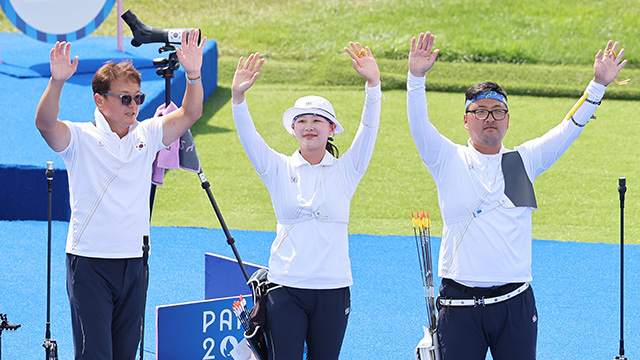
(257, 150)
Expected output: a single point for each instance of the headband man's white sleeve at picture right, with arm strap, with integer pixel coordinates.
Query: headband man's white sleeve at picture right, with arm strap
(542, 152)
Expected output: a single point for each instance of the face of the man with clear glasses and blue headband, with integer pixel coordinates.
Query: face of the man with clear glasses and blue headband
(487, 134)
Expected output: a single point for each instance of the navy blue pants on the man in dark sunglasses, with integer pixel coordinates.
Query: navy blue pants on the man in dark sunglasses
(106, 297)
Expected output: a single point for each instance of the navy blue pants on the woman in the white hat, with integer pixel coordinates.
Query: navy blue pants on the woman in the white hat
(318, 317)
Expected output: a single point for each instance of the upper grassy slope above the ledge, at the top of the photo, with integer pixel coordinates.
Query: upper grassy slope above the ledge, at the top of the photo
(303, 40)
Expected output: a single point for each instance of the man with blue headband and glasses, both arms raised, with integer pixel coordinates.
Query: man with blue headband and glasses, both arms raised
(486, 198)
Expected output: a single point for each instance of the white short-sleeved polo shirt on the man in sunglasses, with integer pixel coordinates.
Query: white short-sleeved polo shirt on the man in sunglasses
(109, 184)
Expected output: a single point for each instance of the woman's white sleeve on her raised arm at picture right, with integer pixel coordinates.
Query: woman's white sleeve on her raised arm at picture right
(361, 149)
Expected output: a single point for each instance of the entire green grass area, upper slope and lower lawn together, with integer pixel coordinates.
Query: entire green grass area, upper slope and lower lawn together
(540, 51)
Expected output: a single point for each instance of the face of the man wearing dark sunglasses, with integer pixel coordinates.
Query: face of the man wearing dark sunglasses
(119, 116)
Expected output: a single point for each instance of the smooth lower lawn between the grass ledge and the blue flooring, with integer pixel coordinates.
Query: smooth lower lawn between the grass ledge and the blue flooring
(578, 196)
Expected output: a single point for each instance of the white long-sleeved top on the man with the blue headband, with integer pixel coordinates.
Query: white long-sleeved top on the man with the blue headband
(494, 246)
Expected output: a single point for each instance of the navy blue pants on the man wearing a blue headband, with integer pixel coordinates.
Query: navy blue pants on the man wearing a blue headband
(509, 328)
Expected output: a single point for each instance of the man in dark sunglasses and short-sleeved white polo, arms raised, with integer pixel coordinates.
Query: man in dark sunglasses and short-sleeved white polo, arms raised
(109, 162)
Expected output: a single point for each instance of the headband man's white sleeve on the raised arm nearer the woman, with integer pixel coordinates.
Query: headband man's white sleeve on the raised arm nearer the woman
(426, 137)
